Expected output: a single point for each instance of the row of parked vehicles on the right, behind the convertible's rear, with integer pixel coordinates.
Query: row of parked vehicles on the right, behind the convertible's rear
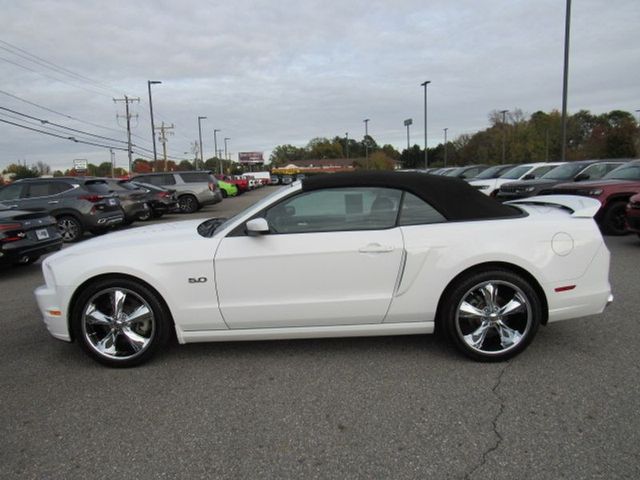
(613, 182)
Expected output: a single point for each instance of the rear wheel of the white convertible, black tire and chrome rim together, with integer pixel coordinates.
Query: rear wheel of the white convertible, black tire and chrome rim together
(480, 318)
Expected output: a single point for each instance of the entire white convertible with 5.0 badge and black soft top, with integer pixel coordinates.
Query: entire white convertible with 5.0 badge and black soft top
(336, 256)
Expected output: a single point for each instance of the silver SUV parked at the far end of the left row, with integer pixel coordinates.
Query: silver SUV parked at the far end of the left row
(194, 189)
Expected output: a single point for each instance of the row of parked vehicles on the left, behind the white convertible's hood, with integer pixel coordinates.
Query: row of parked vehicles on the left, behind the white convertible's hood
(37, 215)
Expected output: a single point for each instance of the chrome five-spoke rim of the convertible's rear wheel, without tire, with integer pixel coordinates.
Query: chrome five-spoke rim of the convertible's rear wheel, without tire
(493, 317)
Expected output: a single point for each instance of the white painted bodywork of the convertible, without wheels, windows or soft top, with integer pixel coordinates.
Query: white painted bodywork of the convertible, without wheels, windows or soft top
(301, 285)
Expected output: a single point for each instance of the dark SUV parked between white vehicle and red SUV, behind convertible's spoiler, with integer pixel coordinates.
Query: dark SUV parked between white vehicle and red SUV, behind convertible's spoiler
(578, 171)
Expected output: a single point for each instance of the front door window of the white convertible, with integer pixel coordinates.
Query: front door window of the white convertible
(336, 209)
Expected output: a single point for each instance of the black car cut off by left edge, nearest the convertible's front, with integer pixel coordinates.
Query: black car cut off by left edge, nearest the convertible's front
(26, 236)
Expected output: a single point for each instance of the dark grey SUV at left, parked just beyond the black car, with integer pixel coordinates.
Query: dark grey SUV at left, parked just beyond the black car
(78, 204)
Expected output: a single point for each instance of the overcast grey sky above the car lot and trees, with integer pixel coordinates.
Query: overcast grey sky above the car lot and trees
(270, 72)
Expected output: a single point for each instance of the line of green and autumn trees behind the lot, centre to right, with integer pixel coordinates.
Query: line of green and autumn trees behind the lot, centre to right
(519, 139)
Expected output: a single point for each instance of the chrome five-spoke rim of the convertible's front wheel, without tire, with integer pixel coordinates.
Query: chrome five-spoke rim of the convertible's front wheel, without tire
(118, 323)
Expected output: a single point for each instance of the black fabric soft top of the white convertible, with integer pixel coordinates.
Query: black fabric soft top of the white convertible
(452, 197)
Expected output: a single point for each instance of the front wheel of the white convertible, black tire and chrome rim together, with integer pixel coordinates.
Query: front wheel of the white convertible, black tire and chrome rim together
(120, 342)
